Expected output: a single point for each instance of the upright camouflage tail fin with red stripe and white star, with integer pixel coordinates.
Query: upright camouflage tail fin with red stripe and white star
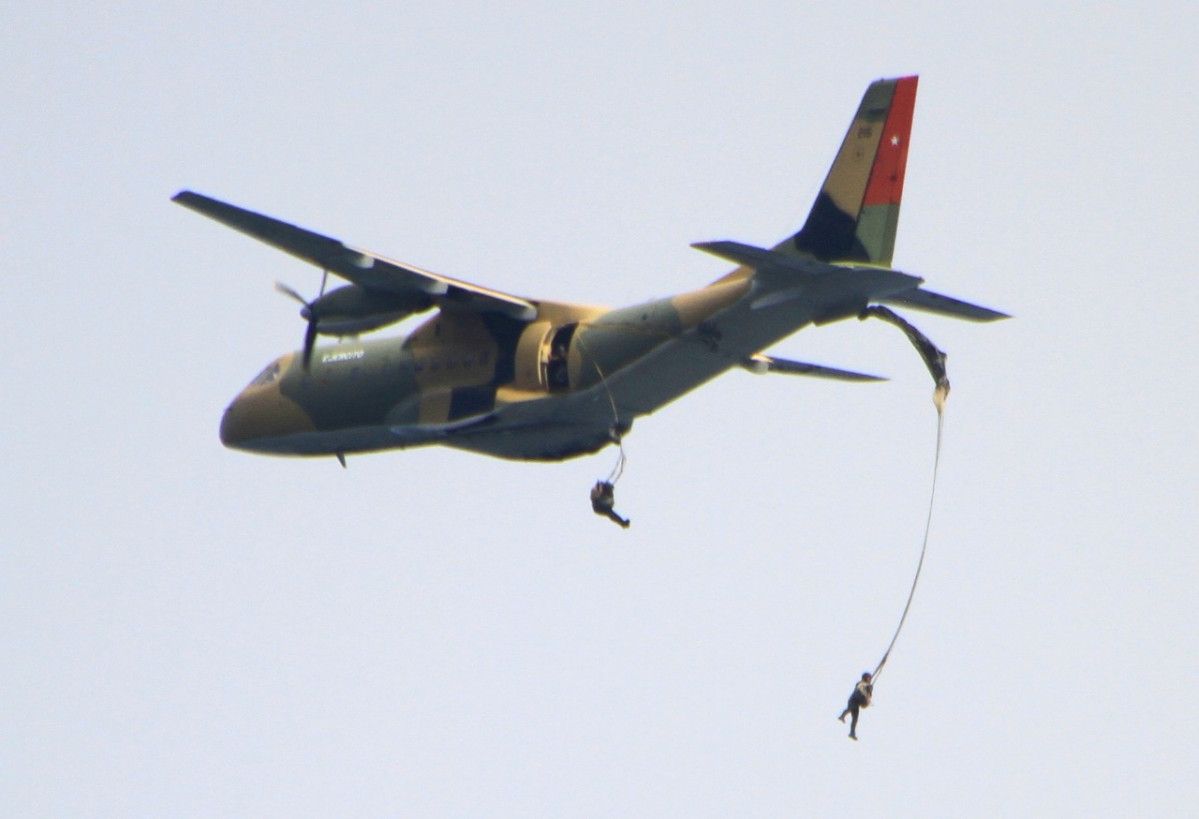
(857, 215)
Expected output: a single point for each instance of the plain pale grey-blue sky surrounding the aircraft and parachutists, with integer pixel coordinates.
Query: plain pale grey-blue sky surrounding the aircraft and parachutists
(192, 631)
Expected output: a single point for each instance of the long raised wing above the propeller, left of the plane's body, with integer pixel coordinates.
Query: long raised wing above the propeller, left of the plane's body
(361, 268)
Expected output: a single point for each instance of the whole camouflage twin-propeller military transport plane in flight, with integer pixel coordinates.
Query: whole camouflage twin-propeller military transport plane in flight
(541, 381)
